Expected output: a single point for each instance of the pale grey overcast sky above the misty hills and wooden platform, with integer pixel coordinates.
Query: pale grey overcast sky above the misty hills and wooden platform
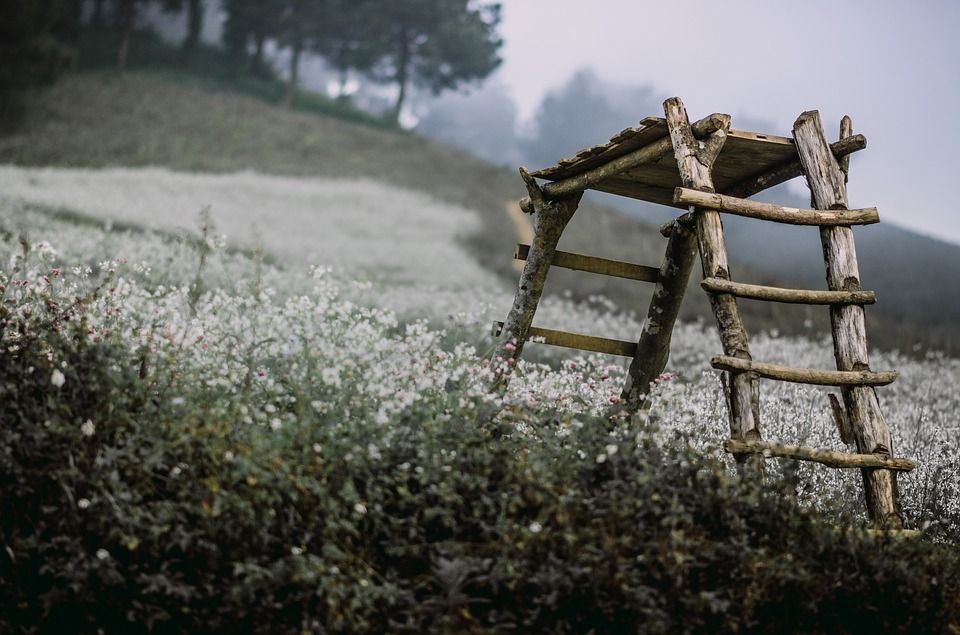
(892, 66)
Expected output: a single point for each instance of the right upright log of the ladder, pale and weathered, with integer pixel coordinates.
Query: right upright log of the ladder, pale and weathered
(827, 183)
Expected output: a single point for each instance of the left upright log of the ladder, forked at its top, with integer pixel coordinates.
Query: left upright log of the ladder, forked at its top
(695, 162)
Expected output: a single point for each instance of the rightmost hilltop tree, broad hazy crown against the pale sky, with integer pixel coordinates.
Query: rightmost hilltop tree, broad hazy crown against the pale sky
(436, 44)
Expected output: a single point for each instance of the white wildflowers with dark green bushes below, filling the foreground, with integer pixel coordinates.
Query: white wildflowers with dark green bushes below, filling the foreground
(183, 456)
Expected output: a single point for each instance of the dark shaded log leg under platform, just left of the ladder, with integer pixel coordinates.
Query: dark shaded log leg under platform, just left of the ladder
(653, 347)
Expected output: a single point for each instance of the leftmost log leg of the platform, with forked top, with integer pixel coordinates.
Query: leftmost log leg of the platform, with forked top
(550, 219)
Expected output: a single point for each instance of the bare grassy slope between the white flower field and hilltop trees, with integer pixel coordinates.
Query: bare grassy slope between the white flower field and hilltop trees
(97, 119)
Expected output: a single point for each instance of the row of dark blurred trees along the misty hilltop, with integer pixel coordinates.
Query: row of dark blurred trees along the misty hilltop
(429, 44)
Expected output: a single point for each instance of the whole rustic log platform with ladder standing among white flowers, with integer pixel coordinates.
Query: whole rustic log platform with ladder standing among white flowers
(707, 169)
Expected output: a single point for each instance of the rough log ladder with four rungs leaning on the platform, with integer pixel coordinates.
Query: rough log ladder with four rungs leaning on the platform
(859, 420)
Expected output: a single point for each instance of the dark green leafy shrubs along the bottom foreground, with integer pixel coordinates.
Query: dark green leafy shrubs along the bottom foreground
(171, 518)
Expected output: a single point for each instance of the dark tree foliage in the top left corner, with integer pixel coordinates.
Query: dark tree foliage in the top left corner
(30, 53)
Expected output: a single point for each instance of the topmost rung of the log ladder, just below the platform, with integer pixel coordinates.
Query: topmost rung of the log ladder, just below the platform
(776, 213)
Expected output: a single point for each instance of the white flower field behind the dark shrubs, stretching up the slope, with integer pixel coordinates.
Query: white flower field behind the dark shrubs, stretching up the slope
(320, 318)
